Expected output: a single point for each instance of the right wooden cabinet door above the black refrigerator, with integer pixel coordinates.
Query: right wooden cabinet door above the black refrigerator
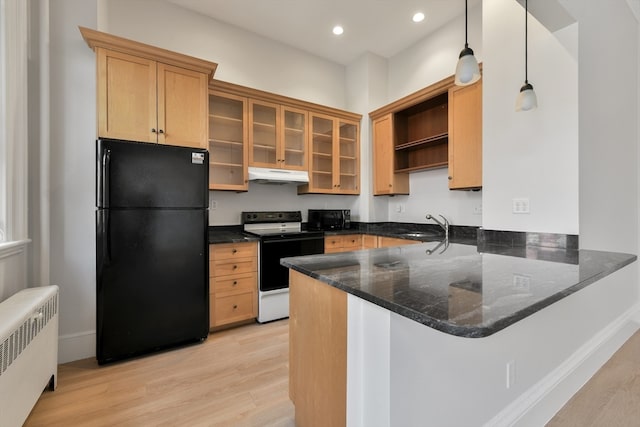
(183, 107)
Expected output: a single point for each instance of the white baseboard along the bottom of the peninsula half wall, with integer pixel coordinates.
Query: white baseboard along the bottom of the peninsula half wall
(541, 402)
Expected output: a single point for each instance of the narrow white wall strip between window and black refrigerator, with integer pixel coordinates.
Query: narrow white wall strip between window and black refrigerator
(73, 132)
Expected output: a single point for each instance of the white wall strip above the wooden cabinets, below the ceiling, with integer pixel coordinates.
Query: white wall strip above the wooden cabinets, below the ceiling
(244, 58)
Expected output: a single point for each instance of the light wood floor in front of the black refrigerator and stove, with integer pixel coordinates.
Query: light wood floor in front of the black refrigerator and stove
(237, 377)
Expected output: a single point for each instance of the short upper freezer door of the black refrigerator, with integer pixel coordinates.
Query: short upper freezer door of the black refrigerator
(143, 175)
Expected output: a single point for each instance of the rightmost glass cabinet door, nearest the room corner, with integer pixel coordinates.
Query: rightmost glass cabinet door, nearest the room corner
(348, 164)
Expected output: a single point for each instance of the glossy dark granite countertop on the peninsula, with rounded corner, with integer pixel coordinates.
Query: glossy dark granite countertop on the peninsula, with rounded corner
(455, 288)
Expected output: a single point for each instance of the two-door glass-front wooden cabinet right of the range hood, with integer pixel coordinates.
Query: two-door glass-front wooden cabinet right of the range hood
(334, 165)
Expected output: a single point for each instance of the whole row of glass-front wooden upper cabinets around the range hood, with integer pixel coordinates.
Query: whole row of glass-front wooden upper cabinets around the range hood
(284, 133)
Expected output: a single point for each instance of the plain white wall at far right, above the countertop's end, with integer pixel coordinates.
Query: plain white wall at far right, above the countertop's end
(608, 125)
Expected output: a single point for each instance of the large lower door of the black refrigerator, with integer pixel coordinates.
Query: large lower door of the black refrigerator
(152, 280)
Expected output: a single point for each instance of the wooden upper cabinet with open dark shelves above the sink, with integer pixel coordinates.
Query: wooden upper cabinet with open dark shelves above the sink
(438, 126)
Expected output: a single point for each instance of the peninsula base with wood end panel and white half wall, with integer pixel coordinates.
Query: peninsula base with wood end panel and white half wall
(401, 372)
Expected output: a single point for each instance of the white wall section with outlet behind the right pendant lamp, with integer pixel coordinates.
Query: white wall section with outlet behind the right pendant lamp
(530, 154)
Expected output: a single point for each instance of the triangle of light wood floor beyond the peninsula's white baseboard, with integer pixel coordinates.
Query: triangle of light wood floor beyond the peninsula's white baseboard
(611, 398)
